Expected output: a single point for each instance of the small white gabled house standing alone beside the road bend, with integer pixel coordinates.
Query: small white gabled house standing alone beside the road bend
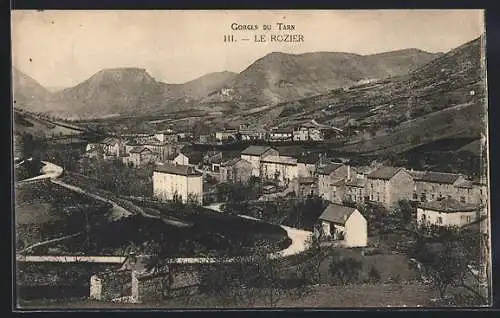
(346, 224)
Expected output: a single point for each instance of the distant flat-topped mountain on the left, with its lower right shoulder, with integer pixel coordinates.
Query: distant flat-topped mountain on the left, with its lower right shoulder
(130, 91)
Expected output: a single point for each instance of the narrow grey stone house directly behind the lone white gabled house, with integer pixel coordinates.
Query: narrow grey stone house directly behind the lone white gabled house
(329, 177)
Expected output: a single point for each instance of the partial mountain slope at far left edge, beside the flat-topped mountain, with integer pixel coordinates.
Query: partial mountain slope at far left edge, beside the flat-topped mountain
(28, 93)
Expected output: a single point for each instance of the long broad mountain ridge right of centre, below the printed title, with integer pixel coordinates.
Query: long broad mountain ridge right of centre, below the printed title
(280, 77)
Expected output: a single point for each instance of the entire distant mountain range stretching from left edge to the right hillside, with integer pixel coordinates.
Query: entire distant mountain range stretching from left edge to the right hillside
(275, 78)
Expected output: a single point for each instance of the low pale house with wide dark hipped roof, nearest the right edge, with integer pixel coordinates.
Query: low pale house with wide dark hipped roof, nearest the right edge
(447, 212)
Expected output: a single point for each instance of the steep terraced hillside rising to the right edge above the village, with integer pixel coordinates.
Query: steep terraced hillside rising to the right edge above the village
(444, 98)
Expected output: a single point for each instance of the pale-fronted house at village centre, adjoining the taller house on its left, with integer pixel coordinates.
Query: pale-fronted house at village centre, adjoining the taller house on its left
(280, 169)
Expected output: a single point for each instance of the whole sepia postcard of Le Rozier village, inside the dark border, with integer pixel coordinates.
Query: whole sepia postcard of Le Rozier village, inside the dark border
(244, 159)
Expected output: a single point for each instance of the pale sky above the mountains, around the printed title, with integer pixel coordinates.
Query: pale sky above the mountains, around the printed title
(64, 48)
